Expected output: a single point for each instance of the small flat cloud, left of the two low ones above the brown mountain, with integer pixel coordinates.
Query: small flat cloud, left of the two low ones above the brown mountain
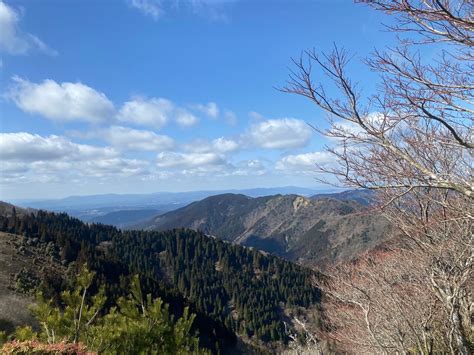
(188, 160)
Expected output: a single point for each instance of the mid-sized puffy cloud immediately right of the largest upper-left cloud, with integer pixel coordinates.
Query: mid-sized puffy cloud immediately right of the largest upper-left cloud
(155, 112)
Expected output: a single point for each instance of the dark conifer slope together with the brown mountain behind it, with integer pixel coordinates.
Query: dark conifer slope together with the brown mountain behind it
(231, 271)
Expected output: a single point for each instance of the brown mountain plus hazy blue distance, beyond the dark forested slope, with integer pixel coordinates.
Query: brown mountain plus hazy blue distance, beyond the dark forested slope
(314, 229)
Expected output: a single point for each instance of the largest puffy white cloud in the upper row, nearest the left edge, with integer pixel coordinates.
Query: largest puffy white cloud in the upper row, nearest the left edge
(61, 102)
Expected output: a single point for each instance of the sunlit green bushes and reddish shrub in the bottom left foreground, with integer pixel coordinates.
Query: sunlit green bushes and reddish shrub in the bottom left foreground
(135, 324)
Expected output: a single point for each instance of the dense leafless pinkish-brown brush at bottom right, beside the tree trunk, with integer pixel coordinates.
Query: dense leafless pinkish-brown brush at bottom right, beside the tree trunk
(379, 304)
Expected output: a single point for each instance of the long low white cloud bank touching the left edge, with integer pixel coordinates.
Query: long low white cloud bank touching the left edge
(31, 157)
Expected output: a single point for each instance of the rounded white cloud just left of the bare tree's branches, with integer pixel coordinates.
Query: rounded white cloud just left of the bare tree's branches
(279, 134)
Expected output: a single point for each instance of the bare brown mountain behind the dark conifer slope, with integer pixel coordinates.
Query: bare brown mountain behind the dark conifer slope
(311, 231)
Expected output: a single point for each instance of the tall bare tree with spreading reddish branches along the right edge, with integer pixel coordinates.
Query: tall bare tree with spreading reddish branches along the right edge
(411, 141)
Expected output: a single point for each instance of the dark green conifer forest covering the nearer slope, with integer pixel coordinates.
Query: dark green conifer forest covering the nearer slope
(232, 289)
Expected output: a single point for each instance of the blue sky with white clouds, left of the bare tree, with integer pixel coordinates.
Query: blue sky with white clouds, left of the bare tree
(139, 96)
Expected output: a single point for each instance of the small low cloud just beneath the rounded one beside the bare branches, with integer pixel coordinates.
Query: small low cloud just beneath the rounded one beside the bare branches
(304, 162)
